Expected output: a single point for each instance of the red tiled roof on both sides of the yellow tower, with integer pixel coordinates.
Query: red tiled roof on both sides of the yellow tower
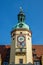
(4, 50)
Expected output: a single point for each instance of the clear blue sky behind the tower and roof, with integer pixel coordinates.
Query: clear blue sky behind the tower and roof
(9, 10)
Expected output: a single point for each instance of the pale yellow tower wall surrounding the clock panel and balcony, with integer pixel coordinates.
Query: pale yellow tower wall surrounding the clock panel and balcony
(28, 41)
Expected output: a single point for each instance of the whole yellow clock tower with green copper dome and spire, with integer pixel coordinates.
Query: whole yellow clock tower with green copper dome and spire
(21, 45)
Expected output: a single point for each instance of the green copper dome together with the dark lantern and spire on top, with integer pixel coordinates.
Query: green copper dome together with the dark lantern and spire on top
(21, 24)
